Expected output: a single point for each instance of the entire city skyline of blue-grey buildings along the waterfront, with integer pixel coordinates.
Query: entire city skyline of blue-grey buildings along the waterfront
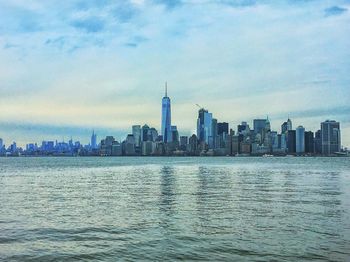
(213, 138)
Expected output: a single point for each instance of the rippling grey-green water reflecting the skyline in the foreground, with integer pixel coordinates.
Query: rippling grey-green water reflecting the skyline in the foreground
(174, 208)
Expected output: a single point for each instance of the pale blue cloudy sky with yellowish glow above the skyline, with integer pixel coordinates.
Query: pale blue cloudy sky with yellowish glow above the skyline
(68, 67)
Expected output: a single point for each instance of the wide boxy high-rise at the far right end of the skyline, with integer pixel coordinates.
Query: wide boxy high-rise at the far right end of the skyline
(330, 137)
